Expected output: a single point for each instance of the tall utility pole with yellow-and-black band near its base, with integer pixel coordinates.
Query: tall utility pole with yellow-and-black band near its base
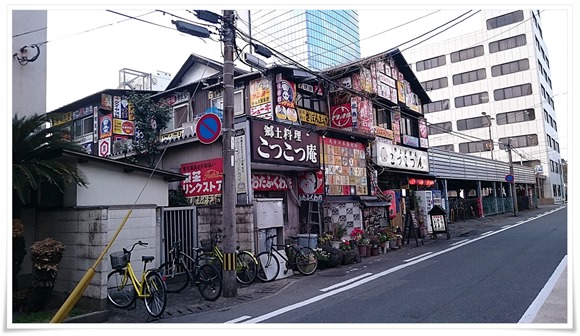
(228, 184)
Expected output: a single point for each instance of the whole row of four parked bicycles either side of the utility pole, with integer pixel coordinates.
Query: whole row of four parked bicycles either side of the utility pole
(202, 268)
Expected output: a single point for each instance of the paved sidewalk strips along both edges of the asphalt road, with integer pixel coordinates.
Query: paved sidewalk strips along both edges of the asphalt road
(191, 302)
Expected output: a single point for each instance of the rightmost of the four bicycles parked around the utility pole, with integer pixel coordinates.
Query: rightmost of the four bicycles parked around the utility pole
(299, 258)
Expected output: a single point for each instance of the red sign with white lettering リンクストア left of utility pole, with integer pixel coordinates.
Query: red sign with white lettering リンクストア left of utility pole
(203, 177)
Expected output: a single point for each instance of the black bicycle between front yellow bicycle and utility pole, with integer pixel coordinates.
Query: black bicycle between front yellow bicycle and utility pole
(182, 270)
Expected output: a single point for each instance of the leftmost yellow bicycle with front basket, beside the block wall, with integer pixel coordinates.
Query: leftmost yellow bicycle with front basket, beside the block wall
(123, 286)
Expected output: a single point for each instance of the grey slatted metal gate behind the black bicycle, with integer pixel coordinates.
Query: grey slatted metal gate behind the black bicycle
(178, 224)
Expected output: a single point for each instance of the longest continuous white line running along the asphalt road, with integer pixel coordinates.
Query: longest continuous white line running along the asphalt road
(371, 278)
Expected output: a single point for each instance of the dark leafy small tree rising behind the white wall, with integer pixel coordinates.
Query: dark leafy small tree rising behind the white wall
(150, 119)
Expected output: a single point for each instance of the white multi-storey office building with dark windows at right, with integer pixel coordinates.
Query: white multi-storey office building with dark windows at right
(491, 89)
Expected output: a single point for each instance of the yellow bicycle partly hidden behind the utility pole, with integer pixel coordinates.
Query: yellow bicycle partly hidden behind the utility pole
(246, 263)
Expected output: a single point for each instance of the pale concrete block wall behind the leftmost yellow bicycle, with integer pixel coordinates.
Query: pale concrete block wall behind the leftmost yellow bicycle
(85, 232)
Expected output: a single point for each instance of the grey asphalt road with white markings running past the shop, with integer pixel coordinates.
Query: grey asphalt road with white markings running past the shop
(492, 278)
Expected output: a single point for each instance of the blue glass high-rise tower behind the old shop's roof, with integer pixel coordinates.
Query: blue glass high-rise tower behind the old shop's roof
(317, 39)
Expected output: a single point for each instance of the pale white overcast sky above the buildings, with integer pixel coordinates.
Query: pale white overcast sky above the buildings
(87, 46)
